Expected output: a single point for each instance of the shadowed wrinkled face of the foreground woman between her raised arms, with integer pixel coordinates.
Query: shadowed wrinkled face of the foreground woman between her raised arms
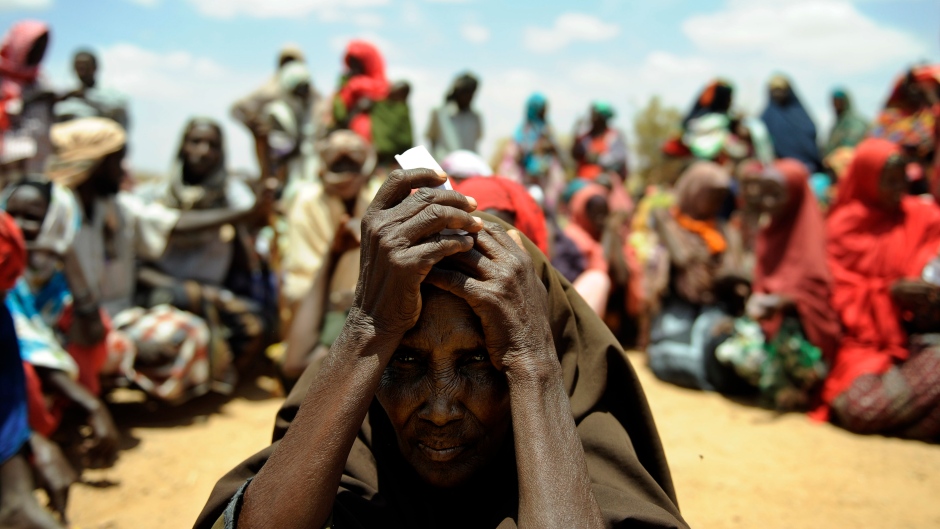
(447, 403)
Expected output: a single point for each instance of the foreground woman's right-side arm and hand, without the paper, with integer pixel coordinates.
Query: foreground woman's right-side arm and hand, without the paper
(498, 281)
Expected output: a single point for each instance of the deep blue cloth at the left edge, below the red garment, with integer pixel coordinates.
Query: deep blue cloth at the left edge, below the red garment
(14, 418)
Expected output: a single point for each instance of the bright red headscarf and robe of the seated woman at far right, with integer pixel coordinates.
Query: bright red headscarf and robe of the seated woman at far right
(869, 249)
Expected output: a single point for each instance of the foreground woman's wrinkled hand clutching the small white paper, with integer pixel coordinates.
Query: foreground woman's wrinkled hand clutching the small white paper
(401, 241)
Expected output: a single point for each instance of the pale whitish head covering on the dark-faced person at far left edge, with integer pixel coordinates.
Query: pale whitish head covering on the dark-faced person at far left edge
(62, 221)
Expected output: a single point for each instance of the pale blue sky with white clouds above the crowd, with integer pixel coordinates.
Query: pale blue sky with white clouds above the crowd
(178, 58)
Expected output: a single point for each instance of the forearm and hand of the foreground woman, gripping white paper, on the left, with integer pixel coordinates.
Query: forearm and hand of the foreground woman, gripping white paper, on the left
(401, 241)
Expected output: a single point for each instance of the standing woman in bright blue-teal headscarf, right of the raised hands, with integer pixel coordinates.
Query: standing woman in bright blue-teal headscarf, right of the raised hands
(532, 157)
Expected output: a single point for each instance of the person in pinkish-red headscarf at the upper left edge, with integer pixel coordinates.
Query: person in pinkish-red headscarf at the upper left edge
(25, 103)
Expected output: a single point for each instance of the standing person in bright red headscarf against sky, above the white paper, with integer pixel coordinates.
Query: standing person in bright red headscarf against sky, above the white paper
(362, 85)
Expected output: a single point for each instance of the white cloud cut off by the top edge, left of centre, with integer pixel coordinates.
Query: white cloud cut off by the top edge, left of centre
(276, 8)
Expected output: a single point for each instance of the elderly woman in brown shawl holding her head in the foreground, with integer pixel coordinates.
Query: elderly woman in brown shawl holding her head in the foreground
(470, 387)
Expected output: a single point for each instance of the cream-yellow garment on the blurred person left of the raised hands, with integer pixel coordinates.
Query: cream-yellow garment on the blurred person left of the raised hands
(313, 219)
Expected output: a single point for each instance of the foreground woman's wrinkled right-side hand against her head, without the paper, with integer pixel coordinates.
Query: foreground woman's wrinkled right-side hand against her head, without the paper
(498, 281)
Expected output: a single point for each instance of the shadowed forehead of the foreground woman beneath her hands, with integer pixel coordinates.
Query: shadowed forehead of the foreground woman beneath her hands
(446, 321)
